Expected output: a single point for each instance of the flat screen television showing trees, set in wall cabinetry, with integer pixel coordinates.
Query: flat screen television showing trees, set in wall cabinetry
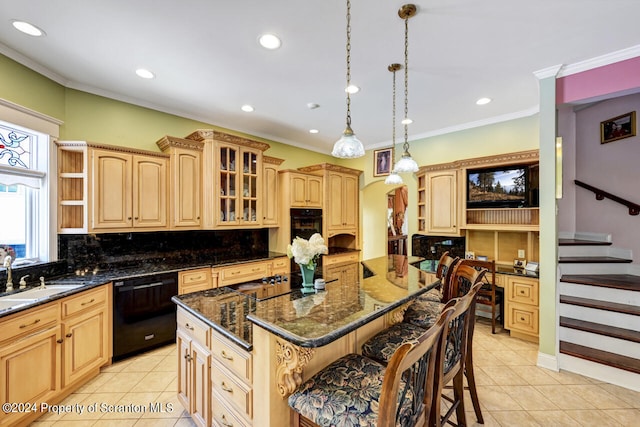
(512, 186)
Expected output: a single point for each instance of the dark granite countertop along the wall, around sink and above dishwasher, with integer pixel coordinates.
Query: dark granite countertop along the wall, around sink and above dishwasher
(91, 279)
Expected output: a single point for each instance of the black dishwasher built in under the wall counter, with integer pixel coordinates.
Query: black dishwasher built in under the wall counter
(144, 317)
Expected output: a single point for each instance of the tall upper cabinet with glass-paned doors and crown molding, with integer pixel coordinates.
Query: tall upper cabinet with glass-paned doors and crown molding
(232, 180)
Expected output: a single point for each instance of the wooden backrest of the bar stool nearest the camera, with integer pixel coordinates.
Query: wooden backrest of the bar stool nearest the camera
(415, 363)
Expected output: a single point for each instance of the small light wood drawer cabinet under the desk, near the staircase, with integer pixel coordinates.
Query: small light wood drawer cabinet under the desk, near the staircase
(522, 307)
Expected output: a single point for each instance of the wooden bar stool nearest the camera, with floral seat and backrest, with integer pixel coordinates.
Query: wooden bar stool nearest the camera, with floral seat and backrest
(356, 390)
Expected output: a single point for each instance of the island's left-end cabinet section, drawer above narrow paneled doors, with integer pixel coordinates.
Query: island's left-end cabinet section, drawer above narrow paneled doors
(194, 367)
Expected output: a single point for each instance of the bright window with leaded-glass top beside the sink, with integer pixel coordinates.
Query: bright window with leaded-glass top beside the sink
(24, 193)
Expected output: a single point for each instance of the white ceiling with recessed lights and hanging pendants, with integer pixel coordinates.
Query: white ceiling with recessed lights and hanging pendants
(208, 62)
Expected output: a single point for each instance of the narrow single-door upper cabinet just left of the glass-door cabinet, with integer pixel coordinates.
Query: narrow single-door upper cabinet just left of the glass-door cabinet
(186, 181)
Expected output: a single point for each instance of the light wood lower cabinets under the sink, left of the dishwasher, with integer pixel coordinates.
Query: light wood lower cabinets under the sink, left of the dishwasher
(67, 340)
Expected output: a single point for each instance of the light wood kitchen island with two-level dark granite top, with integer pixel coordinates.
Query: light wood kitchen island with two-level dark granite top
(260, 350)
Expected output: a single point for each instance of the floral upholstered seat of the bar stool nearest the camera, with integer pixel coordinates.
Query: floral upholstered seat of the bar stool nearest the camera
(346, 393)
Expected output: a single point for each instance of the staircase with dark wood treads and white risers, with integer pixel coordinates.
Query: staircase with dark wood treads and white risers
(599, 311)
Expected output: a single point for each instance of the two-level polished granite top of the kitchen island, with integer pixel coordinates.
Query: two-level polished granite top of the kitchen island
(316, 319)
